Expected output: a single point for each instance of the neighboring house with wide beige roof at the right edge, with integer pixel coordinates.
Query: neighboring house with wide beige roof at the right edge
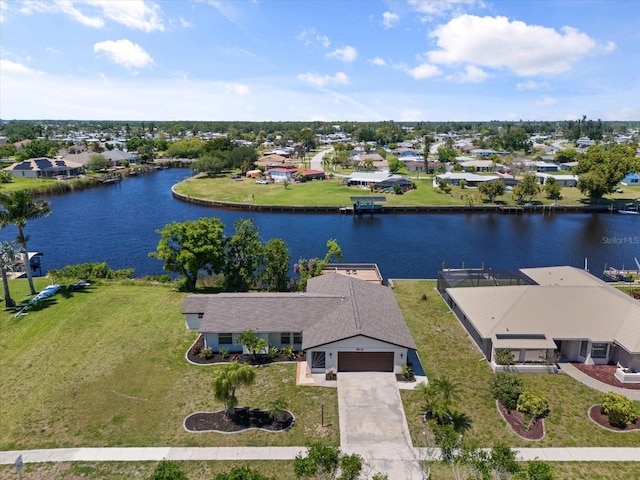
(541, 313)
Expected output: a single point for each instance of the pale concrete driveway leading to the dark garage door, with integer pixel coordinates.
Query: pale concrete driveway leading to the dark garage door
(373, 424)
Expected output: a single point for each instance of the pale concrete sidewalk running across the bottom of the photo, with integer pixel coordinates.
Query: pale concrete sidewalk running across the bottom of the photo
(146, 454)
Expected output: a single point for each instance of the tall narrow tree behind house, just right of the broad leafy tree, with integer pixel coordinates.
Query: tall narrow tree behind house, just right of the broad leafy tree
(243, 256)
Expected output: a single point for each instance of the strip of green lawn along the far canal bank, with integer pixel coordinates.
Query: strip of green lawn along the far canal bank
(333, 193)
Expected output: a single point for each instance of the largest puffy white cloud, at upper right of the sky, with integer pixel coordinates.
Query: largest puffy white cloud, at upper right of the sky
(497, 42)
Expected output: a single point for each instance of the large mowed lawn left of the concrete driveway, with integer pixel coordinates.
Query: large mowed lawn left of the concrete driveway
(105, 367)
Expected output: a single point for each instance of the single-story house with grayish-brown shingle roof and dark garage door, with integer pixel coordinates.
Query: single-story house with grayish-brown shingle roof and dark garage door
(342, 323)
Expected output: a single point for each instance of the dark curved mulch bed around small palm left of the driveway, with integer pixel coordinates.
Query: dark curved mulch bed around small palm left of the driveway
(243, 419)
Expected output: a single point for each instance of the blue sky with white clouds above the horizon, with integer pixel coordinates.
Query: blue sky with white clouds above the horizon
(404, 60)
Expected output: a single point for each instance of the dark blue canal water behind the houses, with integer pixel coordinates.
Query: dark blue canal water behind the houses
(117, 224)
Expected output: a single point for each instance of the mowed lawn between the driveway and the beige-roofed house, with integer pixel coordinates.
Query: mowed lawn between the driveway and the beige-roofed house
(446, 349)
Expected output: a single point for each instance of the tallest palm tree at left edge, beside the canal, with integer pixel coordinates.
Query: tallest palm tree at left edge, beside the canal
(18, 208)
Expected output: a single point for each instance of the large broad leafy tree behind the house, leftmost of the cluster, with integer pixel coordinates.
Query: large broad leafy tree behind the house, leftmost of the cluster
(191, 246)
